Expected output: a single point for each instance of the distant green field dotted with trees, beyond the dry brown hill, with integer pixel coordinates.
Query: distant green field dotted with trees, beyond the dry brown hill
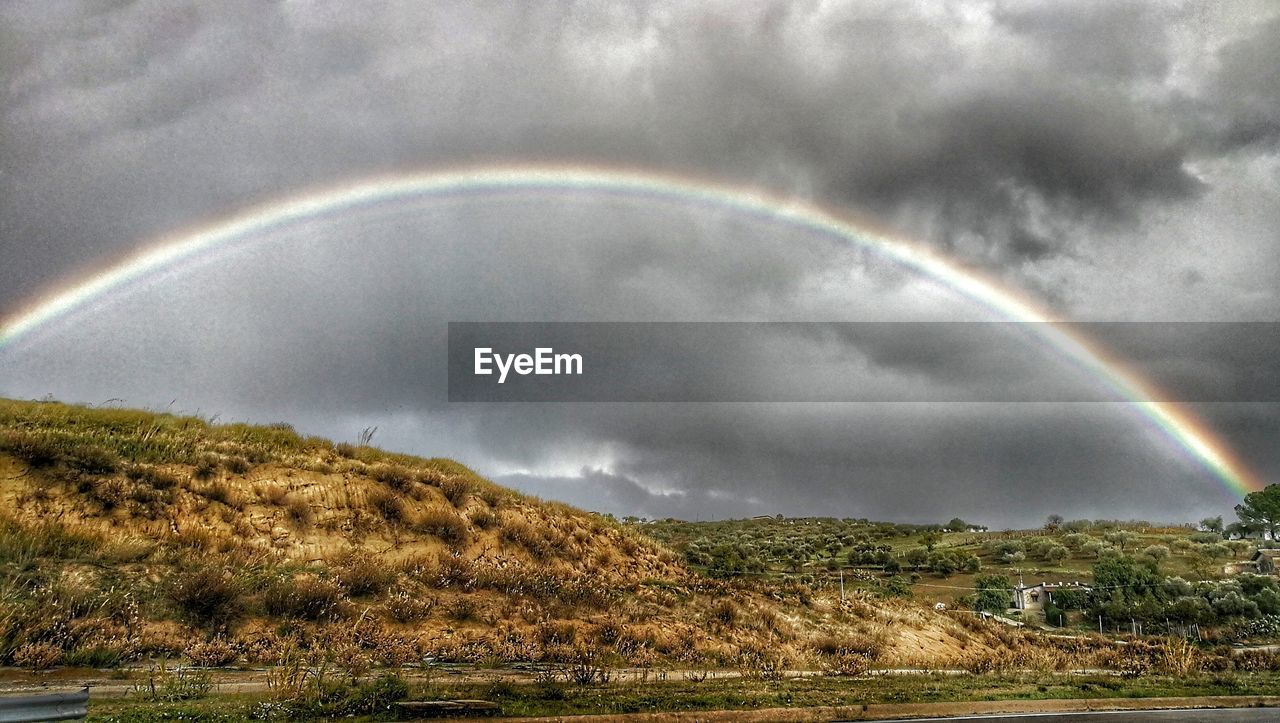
(930, 564)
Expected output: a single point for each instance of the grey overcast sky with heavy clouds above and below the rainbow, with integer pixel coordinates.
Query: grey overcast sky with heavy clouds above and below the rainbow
(1116, 162)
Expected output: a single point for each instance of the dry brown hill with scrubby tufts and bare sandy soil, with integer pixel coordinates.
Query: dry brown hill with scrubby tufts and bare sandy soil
(130, 536)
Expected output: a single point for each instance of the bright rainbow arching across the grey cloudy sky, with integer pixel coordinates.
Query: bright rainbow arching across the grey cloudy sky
(1174, 423)
